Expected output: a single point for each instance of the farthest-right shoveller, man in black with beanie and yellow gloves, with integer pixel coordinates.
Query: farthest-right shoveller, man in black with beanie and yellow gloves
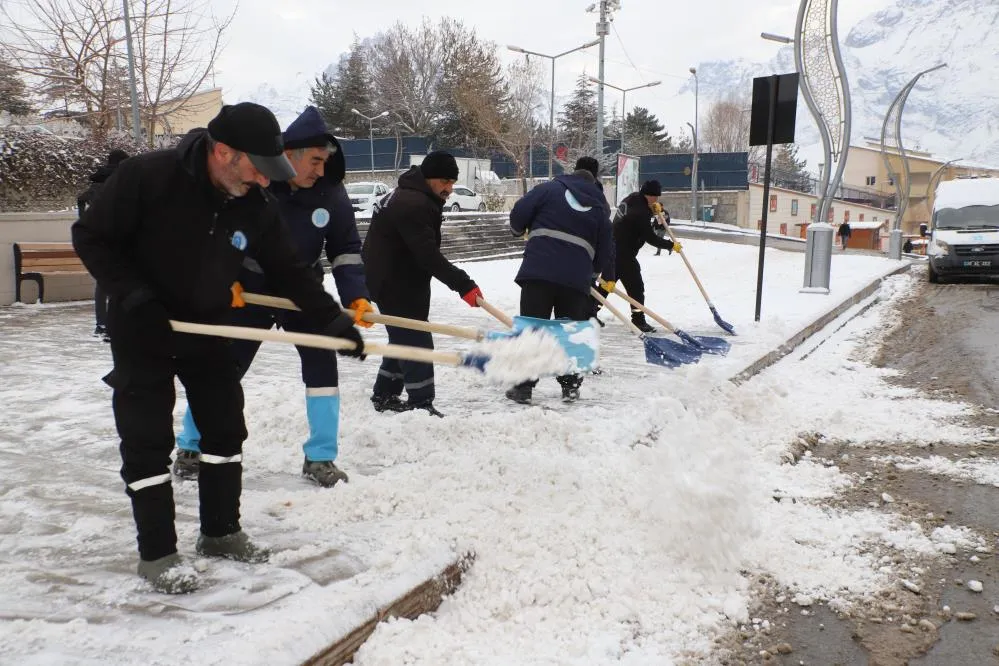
(633, 228)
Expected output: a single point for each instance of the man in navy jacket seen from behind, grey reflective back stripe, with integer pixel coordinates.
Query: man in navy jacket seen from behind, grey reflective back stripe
(569, 239)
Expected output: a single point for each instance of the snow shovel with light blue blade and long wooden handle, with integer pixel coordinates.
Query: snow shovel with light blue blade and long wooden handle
(577, 339)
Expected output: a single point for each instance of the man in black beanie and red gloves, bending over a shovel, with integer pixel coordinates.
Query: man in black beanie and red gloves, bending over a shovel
(401, 254)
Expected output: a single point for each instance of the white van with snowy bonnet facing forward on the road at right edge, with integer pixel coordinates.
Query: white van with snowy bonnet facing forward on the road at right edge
(964, 239)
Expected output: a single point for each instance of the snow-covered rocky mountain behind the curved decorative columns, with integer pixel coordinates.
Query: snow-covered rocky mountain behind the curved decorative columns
(953, 112)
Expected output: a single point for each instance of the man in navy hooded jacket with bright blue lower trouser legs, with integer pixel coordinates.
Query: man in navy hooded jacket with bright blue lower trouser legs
(317, 212)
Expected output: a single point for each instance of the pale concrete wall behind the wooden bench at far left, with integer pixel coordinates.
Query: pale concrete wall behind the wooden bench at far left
(38, 227)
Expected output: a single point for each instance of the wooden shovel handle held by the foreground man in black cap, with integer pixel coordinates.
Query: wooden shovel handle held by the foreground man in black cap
(402, 352)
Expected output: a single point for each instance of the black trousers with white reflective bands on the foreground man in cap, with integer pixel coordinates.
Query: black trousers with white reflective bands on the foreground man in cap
(143, 402)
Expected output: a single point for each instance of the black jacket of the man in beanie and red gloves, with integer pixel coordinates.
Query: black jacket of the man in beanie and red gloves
(402, 248)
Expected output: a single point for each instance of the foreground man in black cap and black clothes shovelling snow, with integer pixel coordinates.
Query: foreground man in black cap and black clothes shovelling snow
(167, 238)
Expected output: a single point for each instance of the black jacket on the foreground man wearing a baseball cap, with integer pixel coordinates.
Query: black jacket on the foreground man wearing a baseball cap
(161, 231)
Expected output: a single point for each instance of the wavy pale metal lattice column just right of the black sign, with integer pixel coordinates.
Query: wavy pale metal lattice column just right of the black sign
(825, 89)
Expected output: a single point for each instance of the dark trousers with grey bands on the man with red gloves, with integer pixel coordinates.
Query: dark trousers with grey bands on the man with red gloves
(394, 375)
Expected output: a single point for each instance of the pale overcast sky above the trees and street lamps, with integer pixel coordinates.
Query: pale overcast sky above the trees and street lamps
(286, 43)
